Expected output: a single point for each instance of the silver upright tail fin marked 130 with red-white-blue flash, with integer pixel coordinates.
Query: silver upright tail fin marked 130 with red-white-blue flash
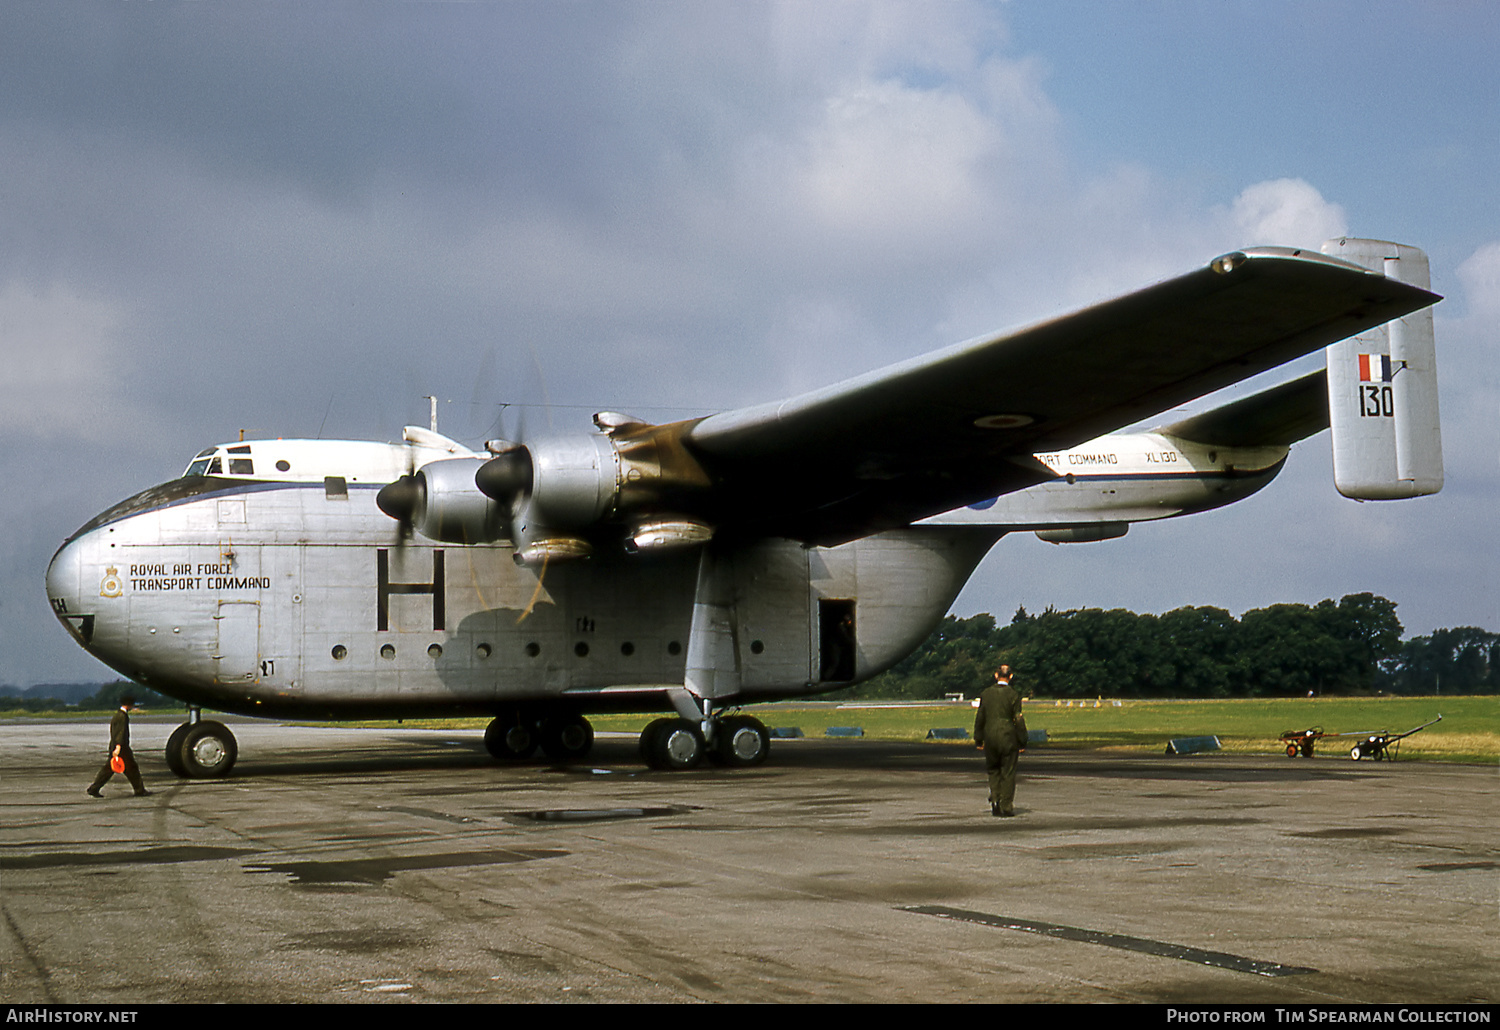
(1382, 391)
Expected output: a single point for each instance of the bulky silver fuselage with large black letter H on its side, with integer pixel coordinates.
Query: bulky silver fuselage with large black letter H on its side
(272, 597)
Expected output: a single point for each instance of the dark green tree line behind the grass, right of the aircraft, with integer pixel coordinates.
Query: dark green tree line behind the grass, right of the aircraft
(1351, 647)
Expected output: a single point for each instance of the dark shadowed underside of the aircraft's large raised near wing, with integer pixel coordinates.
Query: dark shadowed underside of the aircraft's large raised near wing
(961, 425)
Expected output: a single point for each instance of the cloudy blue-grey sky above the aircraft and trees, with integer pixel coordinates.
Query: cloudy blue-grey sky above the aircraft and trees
(298, 220)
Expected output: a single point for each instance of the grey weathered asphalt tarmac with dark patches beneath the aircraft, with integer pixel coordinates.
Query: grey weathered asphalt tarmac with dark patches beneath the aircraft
(404, 866)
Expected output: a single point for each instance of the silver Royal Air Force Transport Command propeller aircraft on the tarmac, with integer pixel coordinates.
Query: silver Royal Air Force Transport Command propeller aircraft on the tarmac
(761, 554)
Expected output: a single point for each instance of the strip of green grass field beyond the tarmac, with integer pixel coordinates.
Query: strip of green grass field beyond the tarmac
(1469, 732)
